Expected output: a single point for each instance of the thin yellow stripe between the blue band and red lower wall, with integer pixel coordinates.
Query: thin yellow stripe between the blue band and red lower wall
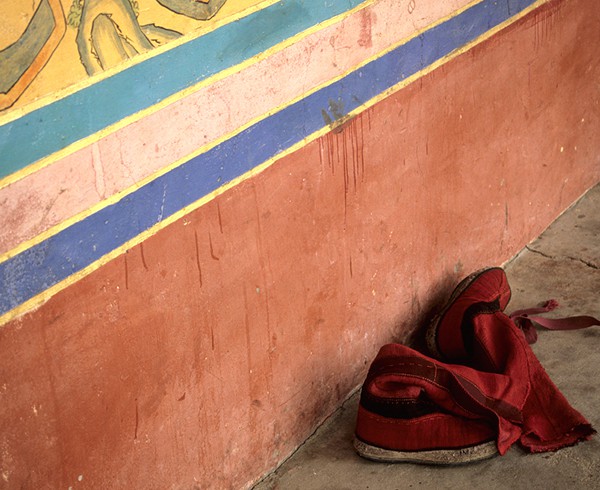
(39, 299)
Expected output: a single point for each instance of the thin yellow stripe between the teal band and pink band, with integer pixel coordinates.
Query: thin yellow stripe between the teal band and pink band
(89, 140)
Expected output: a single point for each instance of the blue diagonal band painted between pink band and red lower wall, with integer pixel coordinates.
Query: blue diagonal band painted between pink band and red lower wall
(56, 258)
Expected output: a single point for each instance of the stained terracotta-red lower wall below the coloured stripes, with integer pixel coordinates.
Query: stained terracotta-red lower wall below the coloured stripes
(206, 354)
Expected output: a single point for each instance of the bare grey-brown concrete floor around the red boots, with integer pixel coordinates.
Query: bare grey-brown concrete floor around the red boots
(564, 264)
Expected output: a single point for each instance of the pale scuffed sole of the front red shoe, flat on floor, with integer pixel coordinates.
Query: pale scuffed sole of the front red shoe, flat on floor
(459, 456)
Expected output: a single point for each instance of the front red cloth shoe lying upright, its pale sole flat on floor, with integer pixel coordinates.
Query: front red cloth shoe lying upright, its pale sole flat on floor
(407, 413)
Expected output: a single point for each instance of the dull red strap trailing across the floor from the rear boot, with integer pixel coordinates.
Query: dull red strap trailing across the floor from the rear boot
(524, 320)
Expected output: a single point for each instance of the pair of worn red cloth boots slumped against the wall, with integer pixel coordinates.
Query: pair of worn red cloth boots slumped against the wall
(479, 390)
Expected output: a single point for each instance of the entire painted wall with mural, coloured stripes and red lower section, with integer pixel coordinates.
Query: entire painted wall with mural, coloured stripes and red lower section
(206, 241)
